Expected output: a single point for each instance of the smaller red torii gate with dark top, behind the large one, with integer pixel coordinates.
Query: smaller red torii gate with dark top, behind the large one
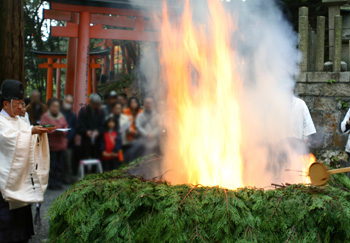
(50, 65)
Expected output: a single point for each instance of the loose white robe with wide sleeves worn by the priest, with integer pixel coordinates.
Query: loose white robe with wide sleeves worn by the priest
(24, 162)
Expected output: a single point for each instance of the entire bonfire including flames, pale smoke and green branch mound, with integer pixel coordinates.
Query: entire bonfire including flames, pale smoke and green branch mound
(225, 131)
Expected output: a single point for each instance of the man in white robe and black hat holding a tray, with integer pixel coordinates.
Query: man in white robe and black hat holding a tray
(24, 166)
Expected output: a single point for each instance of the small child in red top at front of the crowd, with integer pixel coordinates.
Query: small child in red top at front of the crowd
(111, 146)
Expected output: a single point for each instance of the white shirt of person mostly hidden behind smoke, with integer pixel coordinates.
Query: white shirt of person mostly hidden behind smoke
(301, 124)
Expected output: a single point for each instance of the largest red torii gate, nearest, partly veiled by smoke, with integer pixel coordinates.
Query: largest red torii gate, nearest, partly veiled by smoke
(80, 15)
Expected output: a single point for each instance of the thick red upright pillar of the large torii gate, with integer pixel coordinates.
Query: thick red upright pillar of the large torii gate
(82, 61)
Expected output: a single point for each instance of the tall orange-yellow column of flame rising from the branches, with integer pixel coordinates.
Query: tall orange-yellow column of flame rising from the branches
(203, 100)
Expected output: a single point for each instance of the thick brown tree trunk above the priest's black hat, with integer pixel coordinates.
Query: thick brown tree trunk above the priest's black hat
(11, 40)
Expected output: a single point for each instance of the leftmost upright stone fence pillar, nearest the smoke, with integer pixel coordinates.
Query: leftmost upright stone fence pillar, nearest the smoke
(303, 37)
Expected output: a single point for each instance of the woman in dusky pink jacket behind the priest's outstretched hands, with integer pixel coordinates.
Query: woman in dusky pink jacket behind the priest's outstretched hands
(57, 142)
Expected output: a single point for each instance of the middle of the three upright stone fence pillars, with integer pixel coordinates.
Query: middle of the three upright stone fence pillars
(320, 35)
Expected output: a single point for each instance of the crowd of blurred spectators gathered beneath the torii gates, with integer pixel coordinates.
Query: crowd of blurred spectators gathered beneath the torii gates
(116, 130)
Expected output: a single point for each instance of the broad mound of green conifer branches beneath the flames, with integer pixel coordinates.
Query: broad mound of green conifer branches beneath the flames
(118, 207)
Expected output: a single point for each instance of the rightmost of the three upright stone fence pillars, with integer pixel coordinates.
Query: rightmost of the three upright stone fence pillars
(338, 25)
